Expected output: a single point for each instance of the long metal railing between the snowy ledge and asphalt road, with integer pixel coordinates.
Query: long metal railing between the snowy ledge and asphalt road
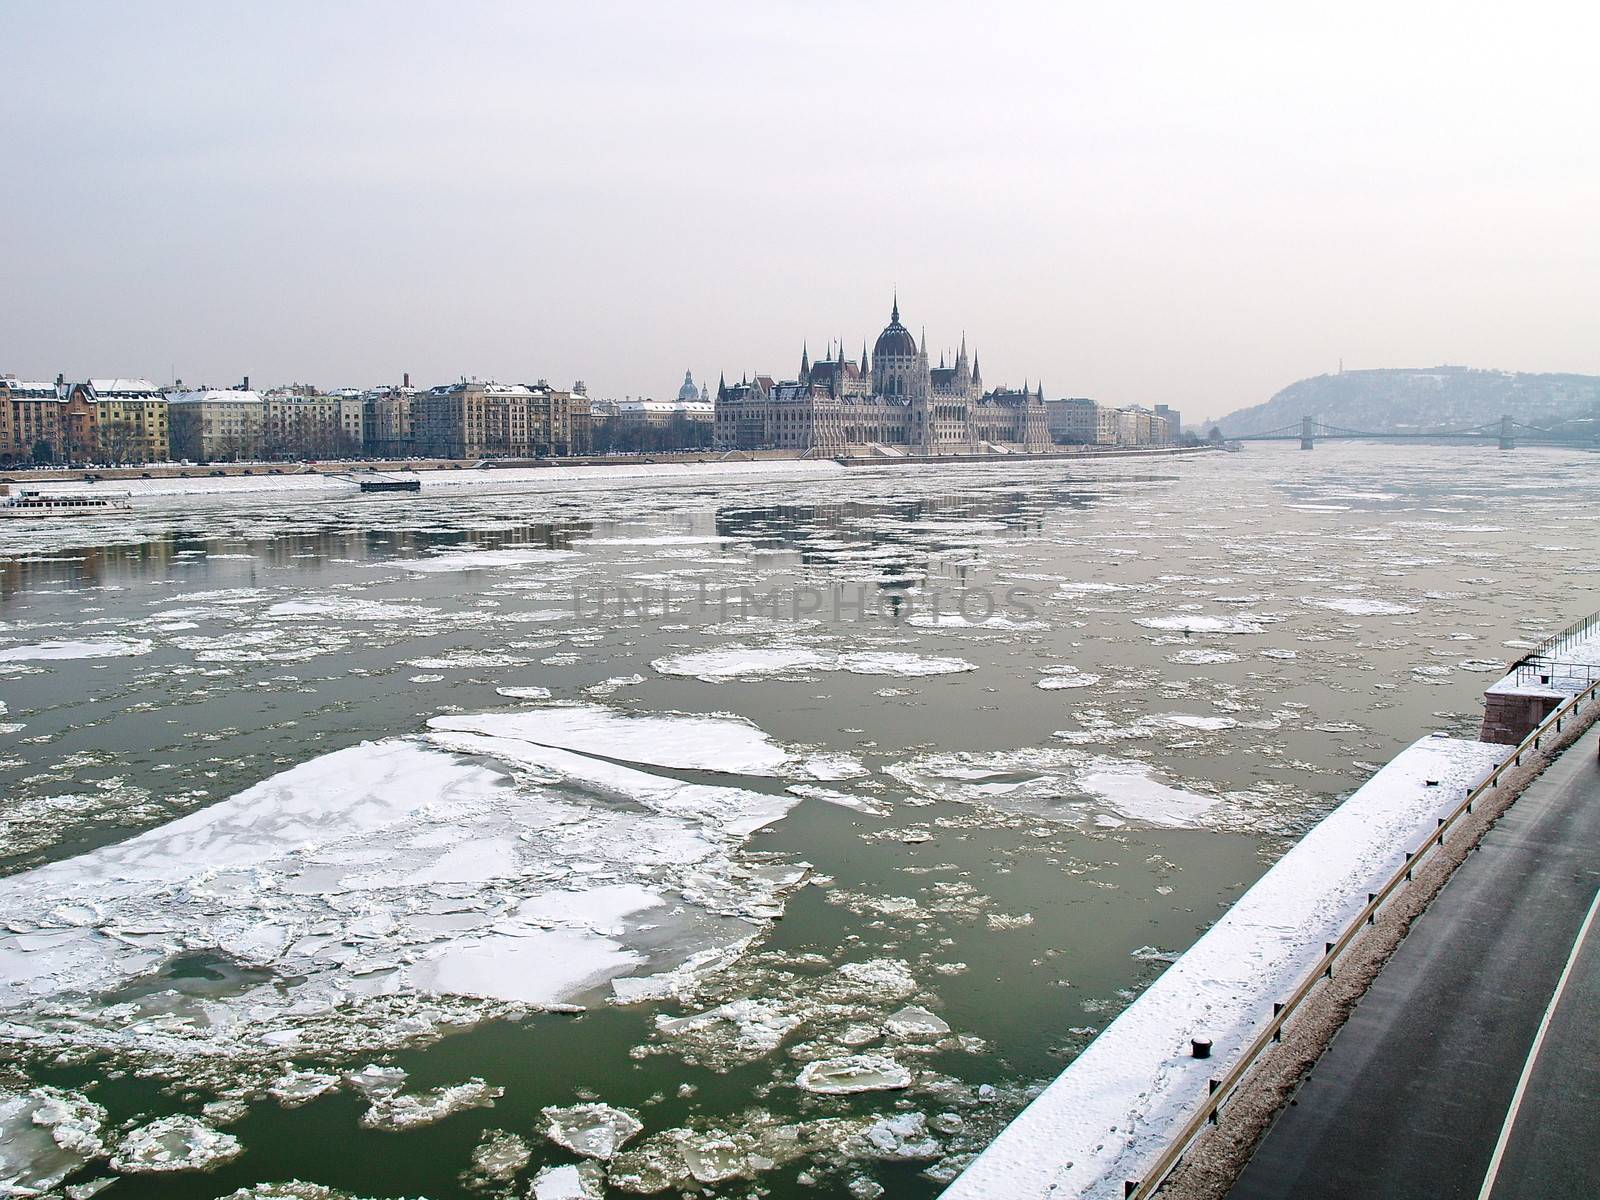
(1225, 1089)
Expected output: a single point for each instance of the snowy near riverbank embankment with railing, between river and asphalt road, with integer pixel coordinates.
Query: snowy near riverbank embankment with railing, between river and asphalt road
(1310, 937)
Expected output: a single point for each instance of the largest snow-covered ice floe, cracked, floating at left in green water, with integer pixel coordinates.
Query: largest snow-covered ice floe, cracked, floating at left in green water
(471, 863)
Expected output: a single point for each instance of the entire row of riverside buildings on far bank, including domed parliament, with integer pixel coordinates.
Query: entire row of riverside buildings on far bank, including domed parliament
(892, 401)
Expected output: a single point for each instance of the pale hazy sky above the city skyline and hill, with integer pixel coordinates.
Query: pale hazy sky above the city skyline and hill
(1185, 204)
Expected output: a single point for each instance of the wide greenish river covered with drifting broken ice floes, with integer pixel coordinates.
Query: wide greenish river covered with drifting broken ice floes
(806, 820)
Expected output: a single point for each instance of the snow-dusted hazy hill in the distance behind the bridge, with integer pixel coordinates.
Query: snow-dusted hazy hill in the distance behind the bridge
(1415, 399)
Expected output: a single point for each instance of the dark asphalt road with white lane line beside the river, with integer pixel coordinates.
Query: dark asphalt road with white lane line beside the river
(1436, 1081)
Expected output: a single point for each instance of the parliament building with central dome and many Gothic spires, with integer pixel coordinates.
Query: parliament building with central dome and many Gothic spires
(890, 404)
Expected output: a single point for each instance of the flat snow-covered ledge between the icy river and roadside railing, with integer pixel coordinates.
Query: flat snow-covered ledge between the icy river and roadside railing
(1122, 1100)
